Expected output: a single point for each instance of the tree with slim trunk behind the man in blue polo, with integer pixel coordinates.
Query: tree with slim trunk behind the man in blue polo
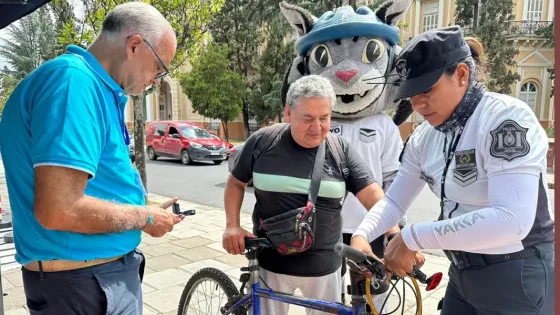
(189, 19)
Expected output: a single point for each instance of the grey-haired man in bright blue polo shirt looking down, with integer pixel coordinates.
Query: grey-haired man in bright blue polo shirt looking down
(78, 210)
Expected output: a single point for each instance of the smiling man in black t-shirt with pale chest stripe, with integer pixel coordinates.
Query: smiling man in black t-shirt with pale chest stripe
(281, 178)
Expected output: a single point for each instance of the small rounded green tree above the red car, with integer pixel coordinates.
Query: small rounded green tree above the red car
(215, 90)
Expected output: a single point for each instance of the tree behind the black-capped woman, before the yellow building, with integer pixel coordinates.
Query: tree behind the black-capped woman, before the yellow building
(492, 26)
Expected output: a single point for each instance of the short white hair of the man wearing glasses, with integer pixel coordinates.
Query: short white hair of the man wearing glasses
(135, 18)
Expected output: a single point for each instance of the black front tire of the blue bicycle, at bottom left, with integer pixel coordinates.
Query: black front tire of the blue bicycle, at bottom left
(215, 275)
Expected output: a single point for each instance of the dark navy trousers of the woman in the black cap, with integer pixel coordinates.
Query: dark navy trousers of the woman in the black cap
(518, 287)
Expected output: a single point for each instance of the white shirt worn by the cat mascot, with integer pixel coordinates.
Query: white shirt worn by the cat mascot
(377, 139)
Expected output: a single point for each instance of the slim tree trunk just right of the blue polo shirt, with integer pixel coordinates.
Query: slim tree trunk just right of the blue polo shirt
(139, 130)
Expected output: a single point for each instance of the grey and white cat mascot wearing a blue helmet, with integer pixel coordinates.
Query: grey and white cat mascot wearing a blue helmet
(356, 51)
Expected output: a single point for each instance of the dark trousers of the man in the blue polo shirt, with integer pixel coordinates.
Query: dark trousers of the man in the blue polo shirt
(111, 288)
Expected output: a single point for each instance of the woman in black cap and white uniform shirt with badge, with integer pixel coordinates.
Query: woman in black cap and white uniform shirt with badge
(484, 155)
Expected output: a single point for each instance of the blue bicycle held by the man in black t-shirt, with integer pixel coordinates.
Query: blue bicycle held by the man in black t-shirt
(366, 273)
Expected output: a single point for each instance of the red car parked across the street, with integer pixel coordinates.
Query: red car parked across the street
(183, 140)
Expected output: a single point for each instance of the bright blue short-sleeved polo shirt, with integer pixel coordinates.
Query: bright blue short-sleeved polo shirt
(68, 112)
